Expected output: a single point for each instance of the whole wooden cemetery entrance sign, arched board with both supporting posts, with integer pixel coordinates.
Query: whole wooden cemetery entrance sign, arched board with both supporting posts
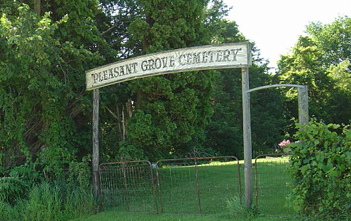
(236, 55)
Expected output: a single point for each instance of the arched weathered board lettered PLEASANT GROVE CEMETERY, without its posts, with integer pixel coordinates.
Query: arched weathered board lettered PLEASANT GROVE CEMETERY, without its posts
(180, 60)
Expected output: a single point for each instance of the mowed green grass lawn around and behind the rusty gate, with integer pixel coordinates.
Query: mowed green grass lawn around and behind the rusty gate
(184, 194)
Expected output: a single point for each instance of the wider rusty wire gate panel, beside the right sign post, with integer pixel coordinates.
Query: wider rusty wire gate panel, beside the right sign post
(195, 185)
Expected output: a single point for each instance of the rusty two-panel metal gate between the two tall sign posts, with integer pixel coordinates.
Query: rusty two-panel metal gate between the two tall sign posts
(188, 185)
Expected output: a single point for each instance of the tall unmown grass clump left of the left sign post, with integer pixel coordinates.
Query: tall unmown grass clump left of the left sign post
(47, 202)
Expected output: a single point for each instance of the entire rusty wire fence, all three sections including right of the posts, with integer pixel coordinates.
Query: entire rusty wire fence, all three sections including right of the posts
(194, 185)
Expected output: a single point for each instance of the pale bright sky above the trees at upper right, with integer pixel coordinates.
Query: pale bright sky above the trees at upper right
(275, 25)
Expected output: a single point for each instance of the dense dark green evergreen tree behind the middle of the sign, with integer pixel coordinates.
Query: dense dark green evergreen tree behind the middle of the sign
(169, 112)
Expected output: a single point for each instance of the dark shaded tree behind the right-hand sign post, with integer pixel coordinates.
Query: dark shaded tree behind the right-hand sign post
(224, 133)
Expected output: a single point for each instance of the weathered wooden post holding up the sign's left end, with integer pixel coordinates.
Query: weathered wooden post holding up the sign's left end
(96, 99)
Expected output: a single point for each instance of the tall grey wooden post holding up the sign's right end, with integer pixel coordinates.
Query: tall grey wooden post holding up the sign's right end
(247, 136)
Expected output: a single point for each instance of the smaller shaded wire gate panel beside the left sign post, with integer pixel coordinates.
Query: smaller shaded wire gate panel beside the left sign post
(128, 186)
